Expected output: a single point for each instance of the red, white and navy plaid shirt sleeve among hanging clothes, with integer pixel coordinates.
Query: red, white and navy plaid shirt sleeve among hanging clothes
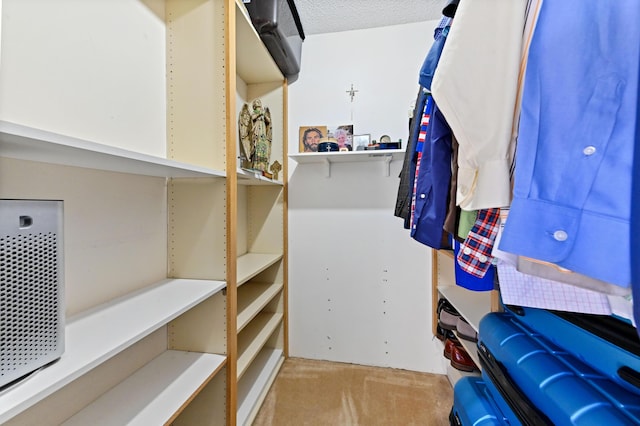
(474, 256)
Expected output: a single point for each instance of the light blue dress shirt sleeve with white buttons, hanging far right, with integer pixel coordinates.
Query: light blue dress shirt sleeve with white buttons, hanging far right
(572, 192)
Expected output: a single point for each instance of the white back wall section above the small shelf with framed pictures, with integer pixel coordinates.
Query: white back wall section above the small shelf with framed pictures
(381, 63)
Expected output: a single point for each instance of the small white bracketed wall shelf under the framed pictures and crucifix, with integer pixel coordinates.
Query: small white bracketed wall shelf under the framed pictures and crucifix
(386, 156)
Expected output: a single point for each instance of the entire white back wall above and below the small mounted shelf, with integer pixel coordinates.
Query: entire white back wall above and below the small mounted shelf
(359, 286)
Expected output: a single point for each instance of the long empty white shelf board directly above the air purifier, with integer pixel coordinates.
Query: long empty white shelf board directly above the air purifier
(26, 143)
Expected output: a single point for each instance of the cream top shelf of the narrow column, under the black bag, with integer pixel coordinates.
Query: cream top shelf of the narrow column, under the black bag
(254, 63)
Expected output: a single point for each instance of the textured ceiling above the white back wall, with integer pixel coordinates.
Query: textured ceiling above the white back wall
(329, 16)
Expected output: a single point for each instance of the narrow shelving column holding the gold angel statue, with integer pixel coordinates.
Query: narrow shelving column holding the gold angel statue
(261, 227)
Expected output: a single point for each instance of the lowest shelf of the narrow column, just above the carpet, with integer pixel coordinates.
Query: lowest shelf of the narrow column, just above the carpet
(255, 383)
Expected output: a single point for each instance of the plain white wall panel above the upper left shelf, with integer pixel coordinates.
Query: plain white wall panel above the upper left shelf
(94, 70)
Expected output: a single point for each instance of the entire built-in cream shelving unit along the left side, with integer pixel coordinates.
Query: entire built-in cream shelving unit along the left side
(161, 245)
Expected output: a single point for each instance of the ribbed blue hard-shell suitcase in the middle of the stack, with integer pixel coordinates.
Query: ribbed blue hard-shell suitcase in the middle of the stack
(563, 389)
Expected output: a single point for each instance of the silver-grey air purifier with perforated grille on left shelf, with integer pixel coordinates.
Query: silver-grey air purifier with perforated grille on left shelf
(31, 320)
